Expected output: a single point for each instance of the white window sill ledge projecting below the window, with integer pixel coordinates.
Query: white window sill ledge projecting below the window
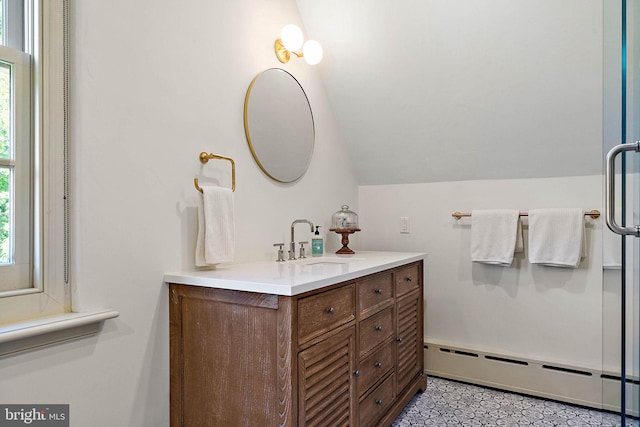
(31, 334)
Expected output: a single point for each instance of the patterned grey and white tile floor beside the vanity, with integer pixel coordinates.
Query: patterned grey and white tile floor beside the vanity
(452, 403)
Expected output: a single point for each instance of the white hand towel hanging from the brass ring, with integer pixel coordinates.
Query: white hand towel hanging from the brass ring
(216, 227)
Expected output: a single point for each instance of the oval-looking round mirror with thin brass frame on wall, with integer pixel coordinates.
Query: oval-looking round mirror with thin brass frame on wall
(279, 125)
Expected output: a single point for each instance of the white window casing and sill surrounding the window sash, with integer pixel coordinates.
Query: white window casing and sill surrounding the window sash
(43, 315)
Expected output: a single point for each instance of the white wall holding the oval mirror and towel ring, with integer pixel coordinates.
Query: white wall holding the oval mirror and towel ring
(153, 85)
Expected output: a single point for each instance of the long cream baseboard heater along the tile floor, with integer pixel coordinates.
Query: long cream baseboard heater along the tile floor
(565, 383)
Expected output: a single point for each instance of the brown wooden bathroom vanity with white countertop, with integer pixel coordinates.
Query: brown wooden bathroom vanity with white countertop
(336, 340)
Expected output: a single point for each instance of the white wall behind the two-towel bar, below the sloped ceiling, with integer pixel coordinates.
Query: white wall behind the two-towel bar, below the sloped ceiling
(544, 313)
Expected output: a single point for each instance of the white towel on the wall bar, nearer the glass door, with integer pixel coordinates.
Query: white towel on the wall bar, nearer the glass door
(556, 237)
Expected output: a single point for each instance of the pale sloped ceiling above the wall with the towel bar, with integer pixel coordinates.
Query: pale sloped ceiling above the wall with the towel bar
(441, 90)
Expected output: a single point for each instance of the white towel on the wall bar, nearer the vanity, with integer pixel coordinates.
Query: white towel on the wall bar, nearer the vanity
(495, 235)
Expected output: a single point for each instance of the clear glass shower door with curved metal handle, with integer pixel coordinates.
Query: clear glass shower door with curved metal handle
(621, 237)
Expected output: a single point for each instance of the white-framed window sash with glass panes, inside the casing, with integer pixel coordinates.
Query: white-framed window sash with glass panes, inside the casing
(16, 147)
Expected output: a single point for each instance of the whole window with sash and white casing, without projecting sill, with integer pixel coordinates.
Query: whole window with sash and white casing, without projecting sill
(33, 252)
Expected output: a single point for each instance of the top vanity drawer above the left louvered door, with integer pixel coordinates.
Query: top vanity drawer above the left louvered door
(322, 312)
